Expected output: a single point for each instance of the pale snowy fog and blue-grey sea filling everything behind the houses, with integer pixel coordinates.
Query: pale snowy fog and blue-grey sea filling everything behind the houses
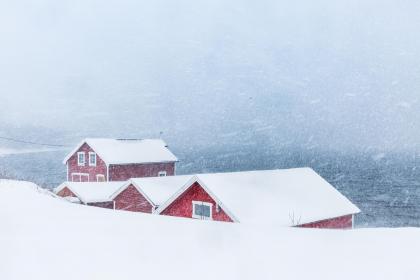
(230, 85)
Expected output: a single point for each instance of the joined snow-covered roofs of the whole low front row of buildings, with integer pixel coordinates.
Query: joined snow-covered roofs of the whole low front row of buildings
(285, 197)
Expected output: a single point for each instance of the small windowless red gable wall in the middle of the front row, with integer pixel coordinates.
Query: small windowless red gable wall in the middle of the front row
(131, 200)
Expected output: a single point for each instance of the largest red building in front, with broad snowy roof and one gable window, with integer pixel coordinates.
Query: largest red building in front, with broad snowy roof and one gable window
(293, 197)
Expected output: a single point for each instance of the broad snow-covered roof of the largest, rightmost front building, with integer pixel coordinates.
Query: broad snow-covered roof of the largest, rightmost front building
(285, 197)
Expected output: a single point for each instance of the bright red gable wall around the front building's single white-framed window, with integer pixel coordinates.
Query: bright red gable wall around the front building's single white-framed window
(182, 206)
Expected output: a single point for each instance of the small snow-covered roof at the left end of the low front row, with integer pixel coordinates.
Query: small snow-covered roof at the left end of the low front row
(89, 192)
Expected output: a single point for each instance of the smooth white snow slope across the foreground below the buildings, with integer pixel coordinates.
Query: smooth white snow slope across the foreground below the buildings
(43, 237)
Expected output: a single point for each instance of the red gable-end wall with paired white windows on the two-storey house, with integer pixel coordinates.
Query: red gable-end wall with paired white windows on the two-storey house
(100, 167)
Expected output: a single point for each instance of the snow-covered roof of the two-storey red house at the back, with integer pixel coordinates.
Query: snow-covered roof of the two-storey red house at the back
(117, 151)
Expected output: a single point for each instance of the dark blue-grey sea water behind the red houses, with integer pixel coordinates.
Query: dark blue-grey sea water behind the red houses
(385, 187)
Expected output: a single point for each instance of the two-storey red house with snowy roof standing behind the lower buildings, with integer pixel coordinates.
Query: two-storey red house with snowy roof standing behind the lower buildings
(96, 160)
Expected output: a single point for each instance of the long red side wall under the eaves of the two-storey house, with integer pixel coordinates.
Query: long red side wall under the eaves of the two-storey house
(125, 172)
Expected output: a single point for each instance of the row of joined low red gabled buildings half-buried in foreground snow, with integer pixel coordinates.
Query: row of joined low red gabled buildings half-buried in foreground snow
(292, 197)
